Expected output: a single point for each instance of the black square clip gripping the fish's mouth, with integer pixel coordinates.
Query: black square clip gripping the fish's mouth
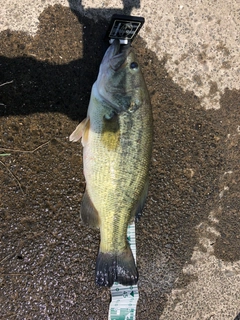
(124, 28)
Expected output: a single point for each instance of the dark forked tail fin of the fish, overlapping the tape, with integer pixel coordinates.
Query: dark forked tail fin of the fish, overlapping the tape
(116, 266)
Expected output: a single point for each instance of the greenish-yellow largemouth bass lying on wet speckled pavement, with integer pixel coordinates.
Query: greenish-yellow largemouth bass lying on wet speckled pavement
(117, 141)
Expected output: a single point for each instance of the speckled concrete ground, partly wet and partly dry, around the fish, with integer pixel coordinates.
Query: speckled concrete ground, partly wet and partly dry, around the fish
(188, 241)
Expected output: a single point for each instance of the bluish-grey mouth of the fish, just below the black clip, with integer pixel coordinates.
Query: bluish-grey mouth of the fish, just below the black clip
(116, 54)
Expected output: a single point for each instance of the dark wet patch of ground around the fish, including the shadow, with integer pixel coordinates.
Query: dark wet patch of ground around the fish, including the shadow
(47, 257)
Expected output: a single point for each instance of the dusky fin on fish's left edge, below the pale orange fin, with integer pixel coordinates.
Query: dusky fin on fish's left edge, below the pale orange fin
(88, 212)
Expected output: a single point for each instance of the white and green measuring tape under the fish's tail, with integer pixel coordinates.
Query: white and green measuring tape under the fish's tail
(124, 298)
